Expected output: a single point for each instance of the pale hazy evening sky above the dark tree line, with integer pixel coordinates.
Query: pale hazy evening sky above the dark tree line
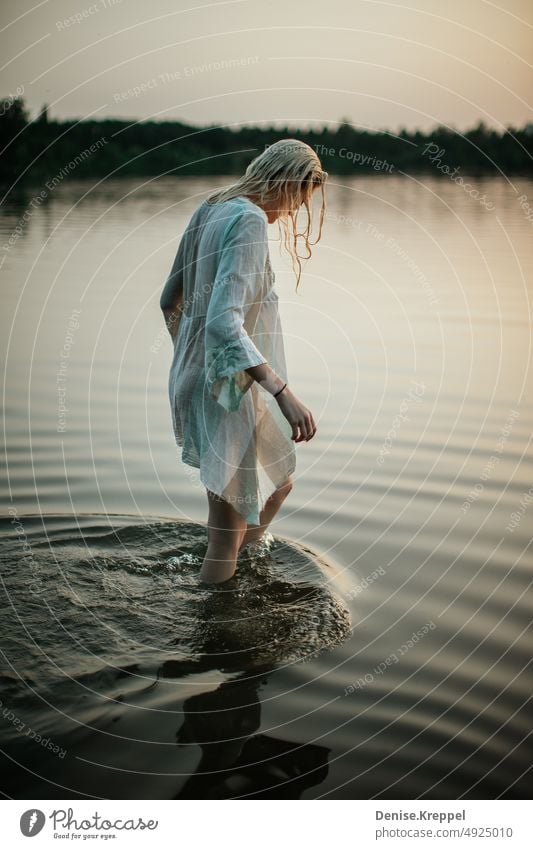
(379, 63)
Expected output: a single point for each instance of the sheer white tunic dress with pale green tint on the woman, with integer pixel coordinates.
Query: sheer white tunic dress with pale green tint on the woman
(227, 426)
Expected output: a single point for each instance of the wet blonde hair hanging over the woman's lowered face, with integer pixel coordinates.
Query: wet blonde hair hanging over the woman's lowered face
(286, 172)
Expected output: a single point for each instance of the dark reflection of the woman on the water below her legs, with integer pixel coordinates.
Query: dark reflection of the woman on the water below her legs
(237, 761)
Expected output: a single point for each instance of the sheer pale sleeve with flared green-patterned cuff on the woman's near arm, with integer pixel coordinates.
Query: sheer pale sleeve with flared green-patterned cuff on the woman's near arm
(229, 350)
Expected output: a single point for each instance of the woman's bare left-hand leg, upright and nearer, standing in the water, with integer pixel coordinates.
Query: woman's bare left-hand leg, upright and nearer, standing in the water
(225, 529)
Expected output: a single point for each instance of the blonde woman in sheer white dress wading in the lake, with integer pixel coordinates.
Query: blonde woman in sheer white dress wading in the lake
(233, 413)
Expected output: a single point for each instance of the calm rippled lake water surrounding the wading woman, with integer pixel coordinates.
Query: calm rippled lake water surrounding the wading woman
(380, 646)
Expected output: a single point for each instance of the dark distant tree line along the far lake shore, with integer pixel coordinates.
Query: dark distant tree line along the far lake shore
(44, 150)
